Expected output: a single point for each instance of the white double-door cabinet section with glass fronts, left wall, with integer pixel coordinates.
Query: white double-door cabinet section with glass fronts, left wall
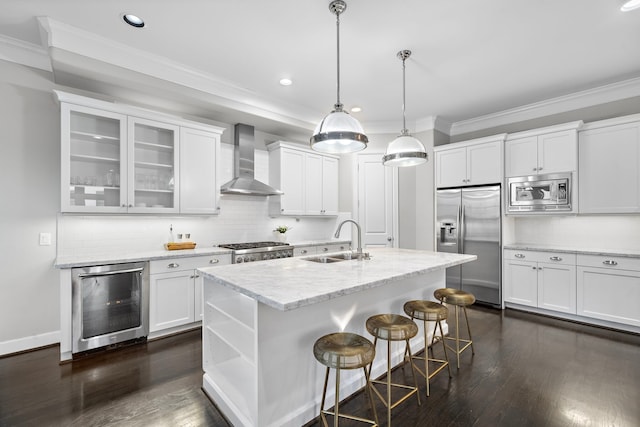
(117, 163)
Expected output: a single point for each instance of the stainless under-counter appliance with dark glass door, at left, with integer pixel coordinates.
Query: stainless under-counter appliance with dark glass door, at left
(110, 304)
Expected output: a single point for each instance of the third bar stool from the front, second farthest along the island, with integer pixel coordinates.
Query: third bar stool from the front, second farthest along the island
(429, 311)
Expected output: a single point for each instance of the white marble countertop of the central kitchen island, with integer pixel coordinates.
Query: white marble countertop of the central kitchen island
(290, 283)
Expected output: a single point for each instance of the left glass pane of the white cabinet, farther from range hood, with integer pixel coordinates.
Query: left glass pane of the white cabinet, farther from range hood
(94, 160)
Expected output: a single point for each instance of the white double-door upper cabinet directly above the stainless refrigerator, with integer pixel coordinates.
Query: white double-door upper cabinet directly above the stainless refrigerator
(473, 162)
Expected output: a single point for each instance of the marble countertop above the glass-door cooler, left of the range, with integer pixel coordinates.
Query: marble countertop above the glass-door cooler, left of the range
(122, 256)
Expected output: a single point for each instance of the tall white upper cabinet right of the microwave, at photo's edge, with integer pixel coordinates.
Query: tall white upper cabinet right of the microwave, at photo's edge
(609, 164)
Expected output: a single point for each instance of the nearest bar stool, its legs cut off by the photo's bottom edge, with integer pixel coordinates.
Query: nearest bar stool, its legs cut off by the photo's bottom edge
(344, 350)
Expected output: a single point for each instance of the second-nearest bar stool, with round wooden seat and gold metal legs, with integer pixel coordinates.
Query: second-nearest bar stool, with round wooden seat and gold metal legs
(393, 327)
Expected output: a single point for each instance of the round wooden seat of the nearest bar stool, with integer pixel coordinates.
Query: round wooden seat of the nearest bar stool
(344, 350)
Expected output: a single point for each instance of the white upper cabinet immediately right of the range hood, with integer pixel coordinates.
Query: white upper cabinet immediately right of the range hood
(309, 181)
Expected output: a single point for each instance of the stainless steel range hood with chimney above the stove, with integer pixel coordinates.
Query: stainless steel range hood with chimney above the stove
(244, 182)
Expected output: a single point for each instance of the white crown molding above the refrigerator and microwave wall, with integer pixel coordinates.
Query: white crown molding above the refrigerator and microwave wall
(583, 99)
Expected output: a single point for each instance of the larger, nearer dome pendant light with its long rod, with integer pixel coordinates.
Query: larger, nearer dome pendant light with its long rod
(338, 132)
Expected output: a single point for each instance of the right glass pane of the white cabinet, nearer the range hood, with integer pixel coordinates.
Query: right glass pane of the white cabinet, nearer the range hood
(154, 160)
